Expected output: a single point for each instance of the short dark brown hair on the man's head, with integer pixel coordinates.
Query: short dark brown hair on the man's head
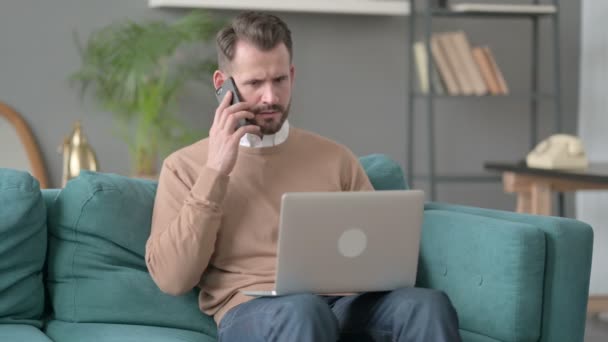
(263, 30)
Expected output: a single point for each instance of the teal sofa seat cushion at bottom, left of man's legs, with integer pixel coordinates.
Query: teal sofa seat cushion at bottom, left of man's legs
(102, 332)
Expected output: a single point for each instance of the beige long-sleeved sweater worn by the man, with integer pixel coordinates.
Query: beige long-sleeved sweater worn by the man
(220, 232)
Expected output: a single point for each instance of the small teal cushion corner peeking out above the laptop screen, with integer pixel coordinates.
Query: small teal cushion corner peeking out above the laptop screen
(384, 173)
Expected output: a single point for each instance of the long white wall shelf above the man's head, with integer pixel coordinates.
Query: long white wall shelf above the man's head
(361, 7)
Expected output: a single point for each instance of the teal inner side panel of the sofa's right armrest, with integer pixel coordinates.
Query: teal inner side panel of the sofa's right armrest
(491, 269)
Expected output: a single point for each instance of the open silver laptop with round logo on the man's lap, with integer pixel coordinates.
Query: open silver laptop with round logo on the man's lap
(345, 242)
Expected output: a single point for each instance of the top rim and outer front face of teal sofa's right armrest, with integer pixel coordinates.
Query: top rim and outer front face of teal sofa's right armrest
(568, 251)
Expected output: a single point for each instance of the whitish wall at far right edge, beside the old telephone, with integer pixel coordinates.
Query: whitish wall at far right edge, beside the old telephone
(592, 206)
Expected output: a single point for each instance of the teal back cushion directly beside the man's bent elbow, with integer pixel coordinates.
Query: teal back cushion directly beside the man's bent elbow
(98, 226)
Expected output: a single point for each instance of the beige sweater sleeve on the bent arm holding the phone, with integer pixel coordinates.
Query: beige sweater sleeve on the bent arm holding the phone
(185, 222)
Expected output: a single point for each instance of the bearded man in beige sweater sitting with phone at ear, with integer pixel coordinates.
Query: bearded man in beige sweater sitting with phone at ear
(215, 220)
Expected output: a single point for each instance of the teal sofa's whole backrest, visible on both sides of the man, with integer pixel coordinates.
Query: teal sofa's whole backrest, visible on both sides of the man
(95, 270)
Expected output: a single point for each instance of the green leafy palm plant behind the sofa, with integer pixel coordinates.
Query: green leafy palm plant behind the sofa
(136, 73)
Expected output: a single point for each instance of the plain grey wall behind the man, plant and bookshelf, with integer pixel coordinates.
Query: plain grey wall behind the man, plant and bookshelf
(350, 86)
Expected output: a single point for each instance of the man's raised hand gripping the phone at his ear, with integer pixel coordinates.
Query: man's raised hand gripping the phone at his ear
(226, 133)
